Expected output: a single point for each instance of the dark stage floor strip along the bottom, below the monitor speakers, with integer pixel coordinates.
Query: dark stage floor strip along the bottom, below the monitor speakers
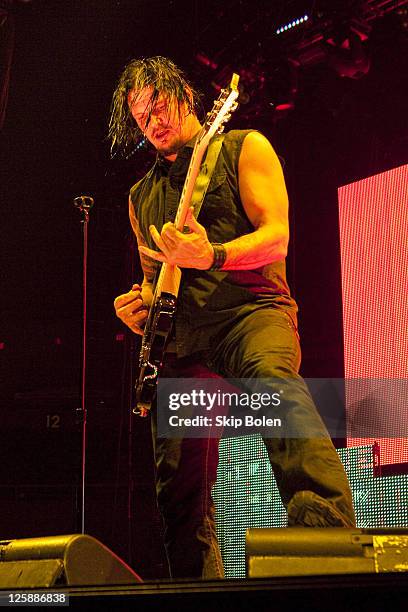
(346, 593)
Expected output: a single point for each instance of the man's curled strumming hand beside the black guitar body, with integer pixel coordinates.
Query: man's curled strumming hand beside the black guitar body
(132, 307)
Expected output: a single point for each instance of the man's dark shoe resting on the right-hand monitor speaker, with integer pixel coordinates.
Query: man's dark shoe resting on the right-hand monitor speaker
(306, 509)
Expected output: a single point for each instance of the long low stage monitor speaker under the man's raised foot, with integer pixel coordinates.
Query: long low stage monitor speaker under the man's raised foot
(306, 551)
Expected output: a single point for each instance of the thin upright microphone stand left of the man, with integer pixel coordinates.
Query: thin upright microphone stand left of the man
(83, 204)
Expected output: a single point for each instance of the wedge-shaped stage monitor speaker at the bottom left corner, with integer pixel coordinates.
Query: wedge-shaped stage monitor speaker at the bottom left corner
(69, 560)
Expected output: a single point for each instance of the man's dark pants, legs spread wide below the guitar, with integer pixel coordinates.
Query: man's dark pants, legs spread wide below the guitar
(264, 345)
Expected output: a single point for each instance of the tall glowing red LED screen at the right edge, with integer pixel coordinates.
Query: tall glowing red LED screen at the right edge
(373, 216)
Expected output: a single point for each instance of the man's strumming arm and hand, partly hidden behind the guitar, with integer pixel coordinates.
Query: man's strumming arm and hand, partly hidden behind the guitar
(132, 307)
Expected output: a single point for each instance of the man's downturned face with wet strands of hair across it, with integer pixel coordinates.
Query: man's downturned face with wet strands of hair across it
(167, 124)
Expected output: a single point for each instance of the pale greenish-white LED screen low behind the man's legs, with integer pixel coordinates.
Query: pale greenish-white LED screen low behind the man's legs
(246, 495)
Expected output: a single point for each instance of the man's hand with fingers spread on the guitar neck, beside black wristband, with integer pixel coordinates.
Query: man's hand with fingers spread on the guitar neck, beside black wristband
(191, 250)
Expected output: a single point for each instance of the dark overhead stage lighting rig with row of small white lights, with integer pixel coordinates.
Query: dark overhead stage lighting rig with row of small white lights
(270, 55)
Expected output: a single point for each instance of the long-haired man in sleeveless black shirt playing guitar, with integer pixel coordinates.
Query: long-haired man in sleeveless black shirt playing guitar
(235, 316)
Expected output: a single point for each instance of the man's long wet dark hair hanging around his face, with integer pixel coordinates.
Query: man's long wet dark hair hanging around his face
(158, 72)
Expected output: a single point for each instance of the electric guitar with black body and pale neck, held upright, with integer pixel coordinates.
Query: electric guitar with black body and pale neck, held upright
(162, 311)
